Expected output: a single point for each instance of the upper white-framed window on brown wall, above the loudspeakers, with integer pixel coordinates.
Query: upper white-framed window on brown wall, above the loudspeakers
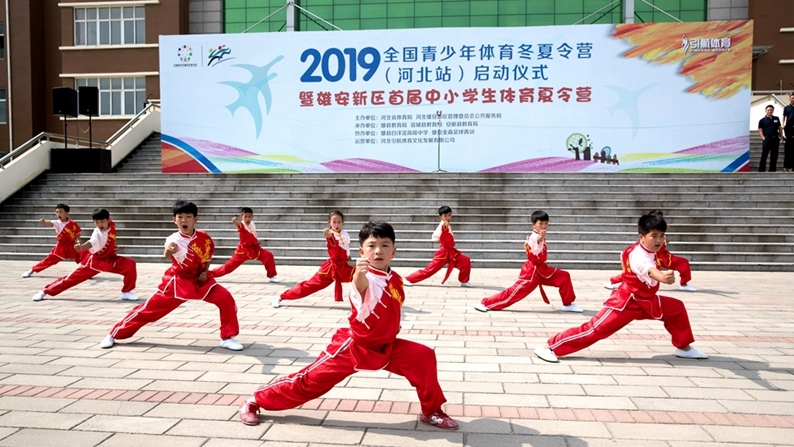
(110, 26)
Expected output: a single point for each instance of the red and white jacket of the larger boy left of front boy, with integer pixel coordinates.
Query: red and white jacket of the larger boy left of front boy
(193, 255)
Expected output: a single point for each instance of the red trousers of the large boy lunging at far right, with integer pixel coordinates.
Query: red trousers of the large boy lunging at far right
(608, 321)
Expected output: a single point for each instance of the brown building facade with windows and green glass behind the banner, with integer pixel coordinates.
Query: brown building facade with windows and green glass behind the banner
(113, 44)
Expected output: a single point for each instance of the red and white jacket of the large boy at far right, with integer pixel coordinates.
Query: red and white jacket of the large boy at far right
(633, 287)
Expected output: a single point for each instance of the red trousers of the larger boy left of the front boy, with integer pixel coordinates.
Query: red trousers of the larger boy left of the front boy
(160, 305)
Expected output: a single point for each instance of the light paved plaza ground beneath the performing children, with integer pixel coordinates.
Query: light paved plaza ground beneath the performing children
(172, 385)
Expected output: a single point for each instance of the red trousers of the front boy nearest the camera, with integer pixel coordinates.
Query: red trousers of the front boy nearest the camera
(414, 361)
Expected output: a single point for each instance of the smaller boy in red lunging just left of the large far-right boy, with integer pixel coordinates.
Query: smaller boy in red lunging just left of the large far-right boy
(534, 273)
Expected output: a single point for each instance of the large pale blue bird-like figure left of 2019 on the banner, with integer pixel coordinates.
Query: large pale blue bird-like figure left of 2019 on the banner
(248, 93)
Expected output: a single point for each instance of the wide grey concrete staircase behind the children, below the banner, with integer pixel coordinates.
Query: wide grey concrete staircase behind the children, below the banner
(719, 221)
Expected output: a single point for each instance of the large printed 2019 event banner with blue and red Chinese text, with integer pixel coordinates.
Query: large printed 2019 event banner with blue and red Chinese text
(654, 97)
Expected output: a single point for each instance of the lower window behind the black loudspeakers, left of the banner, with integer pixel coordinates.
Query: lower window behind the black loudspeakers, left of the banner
(118, 96)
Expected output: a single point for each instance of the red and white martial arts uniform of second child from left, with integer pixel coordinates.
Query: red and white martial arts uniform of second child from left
(102, 257)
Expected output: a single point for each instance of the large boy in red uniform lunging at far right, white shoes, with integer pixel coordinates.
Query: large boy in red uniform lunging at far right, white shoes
(635, 299)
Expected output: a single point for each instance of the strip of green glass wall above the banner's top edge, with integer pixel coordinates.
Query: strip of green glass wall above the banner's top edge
(391, 14)
